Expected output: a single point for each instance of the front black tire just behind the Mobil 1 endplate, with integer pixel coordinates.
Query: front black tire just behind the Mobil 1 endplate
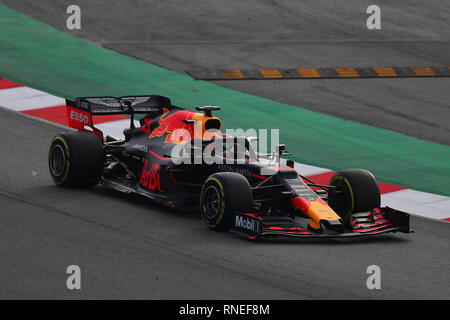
(222, 195)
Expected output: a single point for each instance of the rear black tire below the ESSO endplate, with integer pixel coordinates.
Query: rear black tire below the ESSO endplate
(76, 159)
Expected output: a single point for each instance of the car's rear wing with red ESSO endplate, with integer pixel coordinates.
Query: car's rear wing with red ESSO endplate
(81, 110)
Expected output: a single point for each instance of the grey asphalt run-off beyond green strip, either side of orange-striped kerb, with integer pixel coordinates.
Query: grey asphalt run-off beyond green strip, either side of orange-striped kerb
(286, 34)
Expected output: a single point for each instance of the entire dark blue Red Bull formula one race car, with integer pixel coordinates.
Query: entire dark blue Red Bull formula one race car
(181, 159)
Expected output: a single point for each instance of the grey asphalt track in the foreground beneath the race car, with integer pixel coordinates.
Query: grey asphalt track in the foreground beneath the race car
(129, 247)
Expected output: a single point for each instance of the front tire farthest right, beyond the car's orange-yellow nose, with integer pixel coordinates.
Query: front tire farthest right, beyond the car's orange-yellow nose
(353, 190)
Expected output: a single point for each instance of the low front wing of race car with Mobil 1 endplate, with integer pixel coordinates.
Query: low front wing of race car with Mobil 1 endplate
(377, 221)
